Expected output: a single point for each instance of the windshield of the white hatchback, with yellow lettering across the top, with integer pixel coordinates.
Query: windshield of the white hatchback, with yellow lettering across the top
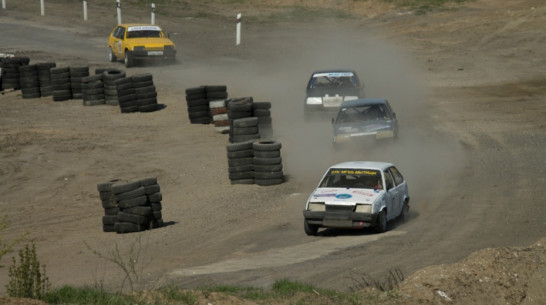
(352, 178)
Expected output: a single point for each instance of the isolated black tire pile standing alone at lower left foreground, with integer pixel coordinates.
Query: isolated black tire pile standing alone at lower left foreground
(131, 206)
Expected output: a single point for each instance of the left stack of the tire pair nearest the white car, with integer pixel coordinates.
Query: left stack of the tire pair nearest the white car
(240, 162)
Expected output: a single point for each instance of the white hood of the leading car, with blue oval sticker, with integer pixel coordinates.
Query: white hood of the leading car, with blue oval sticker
(345, 196)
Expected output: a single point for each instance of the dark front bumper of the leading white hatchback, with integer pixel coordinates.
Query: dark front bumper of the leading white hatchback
(340, 220)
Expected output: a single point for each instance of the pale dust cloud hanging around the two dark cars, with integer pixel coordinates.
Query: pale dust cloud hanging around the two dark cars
(426, 156)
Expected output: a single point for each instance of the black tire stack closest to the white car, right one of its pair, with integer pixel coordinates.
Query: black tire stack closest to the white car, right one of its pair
(267, 162)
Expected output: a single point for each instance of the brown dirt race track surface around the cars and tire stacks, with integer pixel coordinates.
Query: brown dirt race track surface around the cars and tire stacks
(467, 84)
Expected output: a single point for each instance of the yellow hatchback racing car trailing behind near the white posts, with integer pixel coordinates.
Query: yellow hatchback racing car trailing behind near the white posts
(132, 42)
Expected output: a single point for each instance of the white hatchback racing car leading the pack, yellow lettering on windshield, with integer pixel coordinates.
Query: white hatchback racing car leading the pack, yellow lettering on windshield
(357, 194)
